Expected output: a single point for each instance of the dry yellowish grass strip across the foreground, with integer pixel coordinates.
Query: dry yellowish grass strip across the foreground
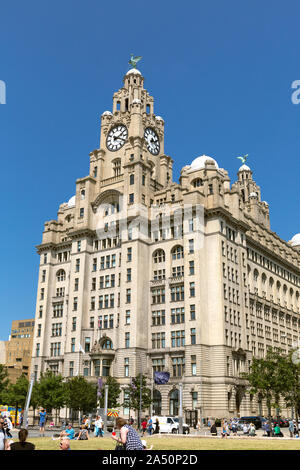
(175, 443)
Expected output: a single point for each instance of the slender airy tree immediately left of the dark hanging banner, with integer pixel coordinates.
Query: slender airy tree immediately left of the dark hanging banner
(139, 395)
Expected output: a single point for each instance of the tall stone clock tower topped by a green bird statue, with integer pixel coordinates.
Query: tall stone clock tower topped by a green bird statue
(132, 143)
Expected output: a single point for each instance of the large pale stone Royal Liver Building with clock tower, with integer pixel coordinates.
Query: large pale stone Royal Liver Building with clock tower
(141, 274)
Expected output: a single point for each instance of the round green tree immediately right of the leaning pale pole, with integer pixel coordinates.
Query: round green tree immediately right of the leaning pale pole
(50, 392)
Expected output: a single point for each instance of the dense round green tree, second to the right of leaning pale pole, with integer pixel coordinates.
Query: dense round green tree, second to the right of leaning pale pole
(81, 395)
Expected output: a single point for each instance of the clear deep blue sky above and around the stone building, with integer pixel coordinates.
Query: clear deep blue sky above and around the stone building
(220, 73)
